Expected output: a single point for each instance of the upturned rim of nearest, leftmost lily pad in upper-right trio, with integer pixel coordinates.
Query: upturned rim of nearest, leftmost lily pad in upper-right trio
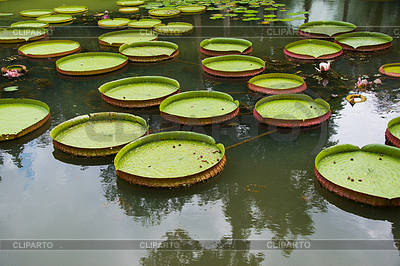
(309, 56)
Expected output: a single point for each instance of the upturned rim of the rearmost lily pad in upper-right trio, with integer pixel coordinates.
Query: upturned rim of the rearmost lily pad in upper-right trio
(310, 34)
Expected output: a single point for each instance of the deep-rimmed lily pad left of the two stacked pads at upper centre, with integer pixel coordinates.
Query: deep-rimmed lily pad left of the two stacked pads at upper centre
(149, 51)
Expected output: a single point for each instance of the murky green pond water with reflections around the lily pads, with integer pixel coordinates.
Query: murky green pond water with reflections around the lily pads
(267, 190)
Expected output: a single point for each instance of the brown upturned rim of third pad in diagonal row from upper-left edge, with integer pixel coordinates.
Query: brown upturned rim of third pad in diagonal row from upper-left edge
(124, 61)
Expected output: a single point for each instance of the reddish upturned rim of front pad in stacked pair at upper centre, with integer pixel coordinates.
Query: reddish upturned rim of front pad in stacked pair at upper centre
(244, 73)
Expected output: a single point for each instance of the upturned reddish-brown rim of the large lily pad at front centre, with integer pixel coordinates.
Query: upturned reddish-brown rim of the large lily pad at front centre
(170, 181)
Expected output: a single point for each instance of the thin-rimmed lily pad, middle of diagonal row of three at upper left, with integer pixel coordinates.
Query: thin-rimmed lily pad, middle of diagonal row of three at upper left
(47, 49)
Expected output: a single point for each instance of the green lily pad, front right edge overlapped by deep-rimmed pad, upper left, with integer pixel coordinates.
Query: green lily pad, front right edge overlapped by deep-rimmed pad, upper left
(118, 38)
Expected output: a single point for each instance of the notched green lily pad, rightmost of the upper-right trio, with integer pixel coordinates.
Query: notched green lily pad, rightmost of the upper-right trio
(363, 39)
